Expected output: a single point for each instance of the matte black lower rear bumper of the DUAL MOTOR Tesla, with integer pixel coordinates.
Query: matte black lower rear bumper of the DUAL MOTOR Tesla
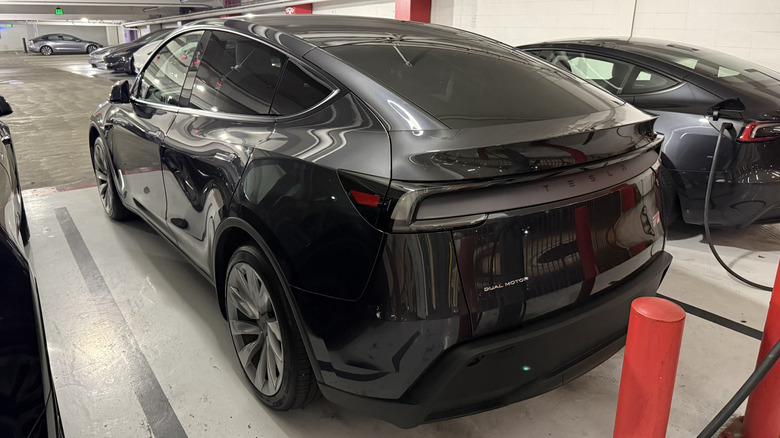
(496, 370)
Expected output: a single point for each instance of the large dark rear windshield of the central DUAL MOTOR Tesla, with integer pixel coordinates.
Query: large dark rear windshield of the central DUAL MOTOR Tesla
(468, 88)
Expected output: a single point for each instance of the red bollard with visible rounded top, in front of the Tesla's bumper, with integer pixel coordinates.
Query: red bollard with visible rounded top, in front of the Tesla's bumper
(655, 329)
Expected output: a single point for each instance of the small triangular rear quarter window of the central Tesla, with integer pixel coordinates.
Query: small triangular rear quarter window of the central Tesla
(297, 91)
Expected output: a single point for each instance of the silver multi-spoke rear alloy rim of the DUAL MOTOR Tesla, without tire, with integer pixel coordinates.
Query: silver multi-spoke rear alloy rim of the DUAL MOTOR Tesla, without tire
(254, 328)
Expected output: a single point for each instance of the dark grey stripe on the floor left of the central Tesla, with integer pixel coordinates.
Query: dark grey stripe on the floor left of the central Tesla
(156, 406)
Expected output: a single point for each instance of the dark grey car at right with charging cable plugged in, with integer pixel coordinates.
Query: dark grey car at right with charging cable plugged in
(683, 85)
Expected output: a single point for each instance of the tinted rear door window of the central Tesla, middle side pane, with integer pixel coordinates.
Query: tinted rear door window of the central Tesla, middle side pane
(236, 75)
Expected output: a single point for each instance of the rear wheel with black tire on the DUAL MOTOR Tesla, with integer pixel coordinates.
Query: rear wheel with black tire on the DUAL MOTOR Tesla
(263, 318)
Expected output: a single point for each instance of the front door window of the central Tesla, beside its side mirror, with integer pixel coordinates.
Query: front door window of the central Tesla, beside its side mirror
(163, 78)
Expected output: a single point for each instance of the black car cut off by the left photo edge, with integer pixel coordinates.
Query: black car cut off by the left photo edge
(28, 404)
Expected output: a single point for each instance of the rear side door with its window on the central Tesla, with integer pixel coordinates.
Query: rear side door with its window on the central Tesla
(225, 114)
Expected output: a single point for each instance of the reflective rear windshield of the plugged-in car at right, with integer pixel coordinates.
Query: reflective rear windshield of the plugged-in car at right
(716, 65)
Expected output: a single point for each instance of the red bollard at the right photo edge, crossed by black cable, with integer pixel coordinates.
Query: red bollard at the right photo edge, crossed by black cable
(762, 417)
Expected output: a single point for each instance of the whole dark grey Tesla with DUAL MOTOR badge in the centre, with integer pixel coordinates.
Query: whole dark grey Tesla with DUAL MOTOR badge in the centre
(383, 218)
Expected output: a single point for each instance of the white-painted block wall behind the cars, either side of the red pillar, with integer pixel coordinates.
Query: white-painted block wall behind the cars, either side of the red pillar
(749, 28)
